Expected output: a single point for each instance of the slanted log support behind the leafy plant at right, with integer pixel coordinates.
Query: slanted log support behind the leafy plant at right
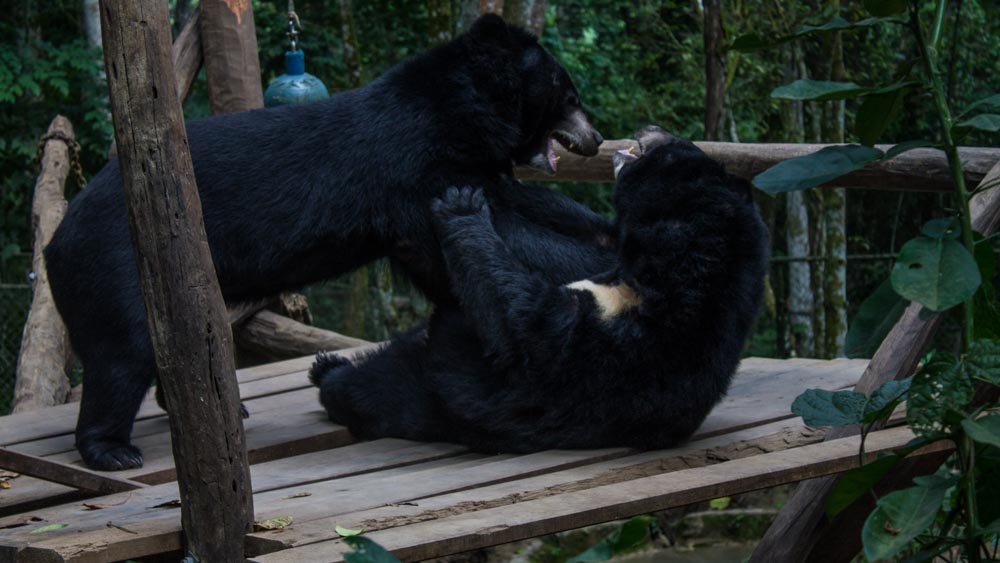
(802, 526)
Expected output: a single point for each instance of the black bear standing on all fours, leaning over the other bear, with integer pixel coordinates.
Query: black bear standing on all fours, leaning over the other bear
(294, 195)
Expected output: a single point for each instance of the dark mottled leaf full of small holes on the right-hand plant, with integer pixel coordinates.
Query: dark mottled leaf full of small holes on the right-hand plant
(943, 386)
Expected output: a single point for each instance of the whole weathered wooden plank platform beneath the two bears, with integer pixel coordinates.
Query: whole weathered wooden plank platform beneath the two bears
(419, 500)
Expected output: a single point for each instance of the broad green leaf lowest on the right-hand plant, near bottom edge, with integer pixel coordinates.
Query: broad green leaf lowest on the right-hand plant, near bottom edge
(898, 519)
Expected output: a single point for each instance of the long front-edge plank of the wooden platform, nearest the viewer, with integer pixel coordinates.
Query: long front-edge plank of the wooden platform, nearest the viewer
(483, 528)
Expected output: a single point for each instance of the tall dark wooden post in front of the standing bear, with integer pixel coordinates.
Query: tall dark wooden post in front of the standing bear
(185, 312)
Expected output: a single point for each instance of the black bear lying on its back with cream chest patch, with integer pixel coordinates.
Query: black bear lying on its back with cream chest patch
(636, 357)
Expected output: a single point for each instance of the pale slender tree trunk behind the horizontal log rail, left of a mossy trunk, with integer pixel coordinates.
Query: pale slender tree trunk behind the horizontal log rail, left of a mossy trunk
(800, 297)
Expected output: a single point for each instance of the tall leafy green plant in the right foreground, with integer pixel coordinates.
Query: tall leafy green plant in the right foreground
(939, 269)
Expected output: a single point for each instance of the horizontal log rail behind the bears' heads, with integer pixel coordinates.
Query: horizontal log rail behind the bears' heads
(922, 170)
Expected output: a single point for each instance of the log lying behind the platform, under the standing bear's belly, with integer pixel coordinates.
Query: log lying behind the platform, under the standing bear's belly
(278, 337)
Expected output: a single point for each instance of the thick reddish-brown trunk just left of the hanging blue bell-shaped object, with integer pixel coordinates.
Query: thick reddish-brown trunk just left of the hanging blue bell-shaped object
(232, 68)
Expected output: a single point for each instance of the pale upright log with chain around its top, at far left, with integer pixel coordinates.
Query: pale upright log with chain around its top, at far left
(41, 365)
